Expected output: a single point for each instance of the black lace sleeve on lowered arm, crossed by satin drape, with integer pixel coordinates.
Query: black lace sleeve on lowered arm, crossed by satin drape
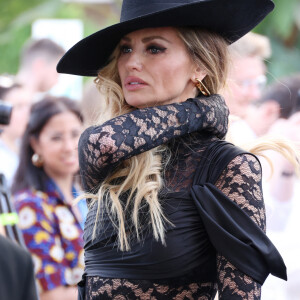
(241, 182)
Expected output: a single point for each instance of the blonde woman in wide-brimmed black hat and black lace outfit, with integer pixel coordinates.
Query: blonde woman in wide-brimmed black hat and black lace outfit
(174, 211)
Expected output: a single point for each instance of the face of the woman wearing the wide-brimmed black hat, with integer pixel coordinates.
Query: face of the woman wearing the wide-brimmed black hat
(155, 68)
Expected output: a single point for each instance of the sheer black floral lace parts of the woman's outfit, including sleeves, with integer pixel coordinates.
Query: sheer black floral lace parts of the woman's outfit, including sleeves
(187, 128)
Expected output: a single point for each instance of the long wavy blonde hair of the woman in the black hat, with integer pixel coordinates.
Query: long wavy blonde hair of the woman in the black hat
(140, 176)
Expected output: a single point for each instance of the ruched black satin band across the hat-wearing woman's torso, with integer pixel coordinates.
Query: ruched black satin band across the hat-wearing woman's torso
(187, 247)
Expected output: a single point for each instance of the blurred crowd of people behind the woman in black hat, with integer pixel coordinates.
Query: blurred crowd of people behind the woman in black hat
(38, 156)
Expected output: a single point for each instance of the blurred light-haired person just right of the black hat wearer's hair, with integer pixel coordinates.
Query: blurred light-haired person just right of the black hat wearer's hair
(247, 72)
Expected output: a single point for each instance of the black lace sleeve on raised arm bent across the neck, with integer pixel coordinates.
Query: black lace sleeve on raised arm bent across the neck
(102, 148)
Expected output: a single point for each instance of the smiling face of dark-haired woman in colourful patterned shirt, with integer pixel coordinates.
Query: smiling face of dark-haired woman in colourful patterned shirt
(57, 145)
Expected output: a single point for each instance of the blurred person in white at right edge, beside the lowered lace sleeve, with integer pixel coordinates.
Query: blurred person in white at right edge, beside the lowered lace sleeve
(282, 192)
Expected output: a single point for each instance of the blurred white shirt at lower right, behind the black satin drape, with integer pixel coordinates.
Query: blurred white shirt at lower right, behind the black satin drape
(285, 236)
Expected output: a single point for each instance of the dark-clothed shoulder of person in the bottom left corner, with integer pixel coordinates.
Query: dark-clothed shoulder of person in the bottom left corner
(16, 272)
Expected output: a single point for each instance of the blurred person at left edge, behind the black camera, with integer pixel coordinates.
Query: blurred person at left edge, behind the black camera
(20, 98)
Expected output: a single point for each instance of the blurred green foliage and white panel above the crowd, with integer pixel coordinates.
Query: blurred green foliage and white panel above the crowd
(67, 21)
